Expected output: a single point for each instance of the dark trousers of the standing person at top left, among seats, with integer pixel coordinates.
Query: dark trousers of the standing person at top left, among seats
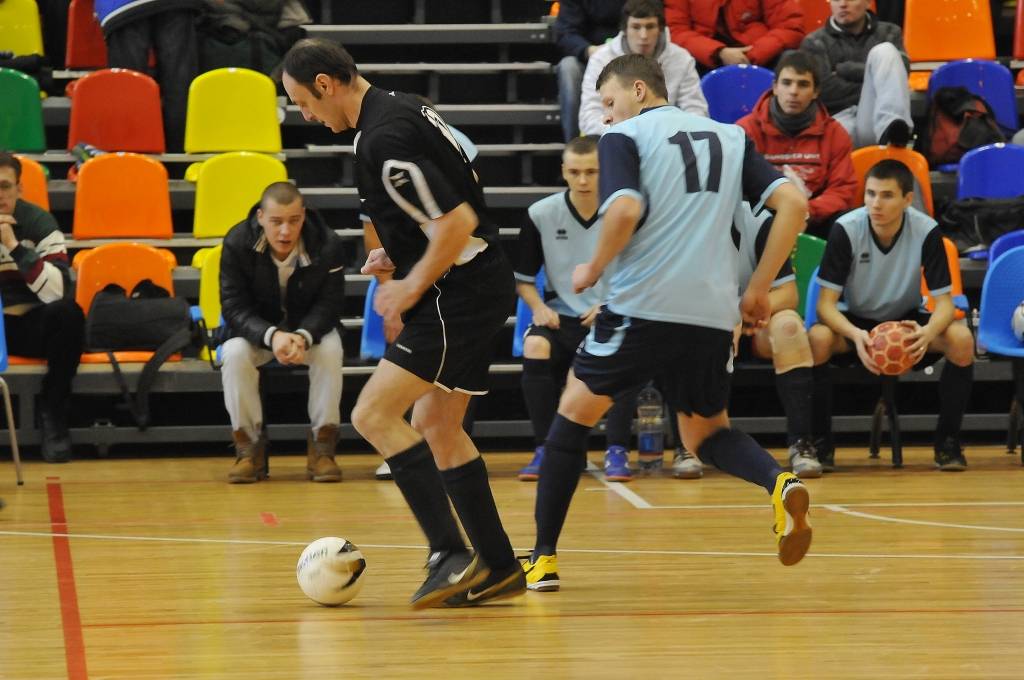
(173, 36)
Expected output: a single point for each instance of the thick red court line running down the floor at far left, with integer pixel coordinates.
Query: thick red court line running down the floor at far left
(70, 618)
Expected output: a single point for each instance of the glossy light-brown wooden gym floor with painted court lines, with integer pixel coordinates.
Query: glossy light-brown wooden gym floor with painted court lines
(158, 569)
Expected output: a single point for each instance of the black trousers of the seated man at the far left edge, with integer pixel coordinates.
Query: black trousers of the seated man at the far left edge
(54, 332)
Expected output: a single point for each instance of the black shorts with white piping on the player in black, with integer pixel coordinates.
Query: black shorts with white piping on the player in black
(449, 335)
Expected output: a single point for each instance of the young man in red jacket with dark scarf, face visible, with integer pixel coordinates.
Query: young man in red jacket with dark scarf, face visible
(796, 135)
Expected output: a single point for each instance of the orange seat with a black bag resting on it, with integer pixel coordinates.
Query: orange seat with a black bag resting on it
(125, 265)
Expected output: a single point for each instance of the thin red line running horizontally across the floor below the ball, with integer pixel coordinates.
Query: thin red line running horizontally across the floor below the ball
(480, 615)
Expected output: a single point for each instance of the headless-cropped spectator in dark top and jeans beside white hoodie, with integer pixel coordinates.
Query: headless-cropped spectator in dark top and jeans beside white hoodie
(581, 29)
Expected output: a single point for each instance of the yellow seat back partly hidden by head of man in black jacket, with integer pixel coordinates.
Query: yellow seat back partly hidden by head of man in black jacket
(228, 187)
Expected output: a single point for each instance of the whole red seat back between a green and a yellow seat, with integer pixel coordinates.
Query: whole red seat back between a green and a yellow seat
(117, 110)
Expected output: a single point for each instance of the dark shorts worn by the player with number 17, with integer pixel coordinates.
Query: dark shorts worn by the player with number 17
(693, 363)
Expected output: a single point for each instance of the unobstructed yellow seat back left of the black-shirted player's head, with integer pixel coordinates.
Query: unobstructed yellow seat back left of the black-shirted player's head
(233, 110)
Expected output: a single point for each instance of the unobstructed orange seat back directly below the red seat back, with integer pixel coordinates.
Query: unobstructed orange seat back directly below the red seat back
(122, 196)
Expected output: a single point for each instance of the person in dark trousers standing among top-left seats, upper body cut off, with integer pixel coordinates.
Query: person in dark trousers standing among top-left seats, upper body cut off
(134, 28)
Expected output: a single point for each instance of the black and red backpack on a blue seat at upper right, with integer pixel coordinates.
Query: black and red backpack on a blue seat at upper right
(958, 122)
